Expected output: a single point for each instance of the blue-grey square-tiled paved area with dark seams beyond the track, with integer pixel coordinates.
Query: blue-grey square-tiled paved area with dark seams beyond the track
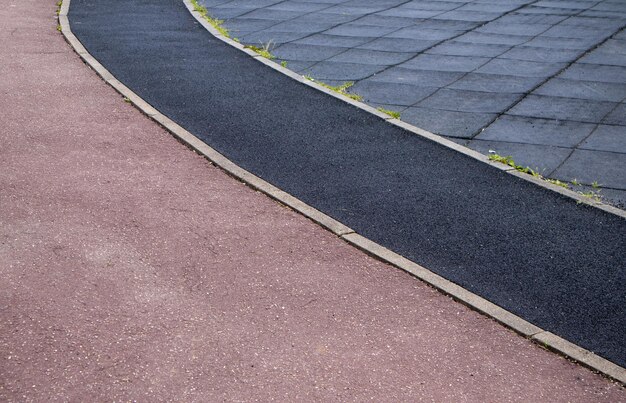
(542, 81)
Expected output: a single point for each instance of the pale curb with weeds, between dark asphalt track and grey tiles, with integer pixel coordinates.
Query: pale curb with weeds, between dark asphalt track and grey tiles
(406, 126)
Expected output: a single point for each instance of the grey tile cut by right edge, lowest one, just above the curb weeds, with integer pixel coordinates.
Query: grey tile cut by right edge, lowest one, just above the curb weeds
(607, 168)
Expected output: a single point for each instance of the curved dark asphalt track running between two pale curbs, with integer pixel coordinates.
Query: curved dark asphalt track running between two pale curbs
(538, 254)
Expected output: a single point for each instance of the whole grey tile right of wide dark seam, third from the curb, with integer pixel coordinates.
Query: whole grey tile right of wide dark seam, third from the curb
(578, 110)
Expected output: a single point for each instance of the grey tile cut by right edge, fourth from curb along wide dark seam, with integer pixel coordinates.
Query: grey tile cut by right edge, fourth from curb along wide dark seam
(594, 90)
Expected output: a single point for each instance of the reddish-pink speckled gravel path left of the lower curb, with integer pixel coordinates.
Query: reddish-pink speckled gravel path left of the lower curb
(133, 269)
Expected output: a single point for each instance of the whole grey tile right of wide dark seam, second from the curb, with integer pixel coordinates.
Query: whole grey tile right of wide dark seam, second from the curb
(518, 129)
